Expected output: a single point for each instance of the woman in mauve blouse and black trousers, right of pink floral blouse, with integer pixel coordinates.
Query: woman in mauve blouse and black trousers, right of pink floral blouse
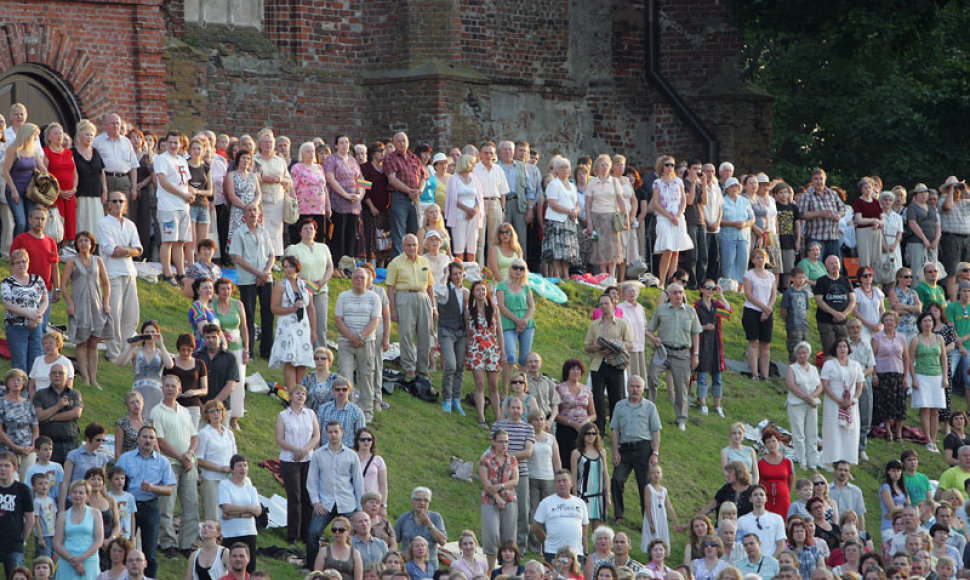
(342, 174)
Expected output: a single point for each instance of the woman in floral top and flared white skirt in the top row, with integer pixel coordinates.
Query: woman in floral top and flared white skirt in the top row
(669, 202)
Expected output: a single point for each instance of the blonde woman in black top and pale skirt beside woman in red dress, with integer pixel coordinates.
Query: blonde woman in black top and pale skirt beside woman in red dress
(92, 184)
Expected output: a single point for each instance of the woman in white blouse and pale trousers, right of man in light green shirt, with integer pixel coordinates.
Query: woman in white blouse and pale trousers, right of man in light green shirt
(217, 445)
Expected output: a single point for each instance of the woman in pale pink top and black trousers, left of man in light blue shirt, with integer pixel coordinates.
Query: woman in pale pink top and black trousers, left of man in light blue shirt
(297, 435)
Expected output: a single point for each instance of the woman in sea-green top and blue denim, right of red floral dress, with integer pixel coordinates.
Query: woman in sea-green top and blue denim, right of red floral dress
(515, 303)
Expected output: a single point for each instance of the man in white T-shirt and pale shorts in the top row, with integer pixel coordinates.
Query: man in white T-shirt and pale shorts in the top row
(174, 195)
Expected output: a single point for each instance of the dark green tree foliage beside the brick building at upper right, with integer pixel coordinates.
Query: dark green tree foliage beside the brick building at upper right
(862, 88)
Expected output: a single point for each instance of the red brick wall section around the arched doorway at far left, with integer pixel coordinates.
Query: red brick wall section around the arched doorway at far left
(108, 68)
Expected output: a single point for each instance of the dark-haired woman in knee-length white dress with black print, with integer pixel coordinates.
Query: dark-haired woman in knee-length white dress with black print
(293, 345)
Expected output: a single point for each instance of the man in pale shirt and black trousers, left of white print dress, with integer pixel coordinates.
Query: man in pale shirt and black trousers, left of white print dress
(251, 249)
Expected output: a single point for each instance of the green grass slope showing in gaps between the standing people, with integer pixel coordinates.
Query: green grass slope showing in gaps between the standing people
(417, 439)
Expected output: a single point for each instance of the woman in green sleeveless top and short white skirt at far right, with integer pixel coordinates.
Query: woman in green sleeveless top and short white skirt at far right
(928, 361)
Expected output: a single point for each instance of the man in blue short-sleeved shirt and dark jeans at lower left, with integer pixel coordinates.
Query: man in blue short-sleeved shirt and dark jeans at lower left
(150, 477)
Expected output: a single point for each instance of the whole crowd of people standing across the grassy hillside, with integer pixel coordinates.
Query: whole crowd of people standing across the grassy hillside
(421, 220)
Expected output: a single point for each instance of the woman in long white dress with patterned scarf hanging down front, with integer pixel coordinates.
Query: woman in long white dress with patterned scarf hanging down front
(842, 383)
